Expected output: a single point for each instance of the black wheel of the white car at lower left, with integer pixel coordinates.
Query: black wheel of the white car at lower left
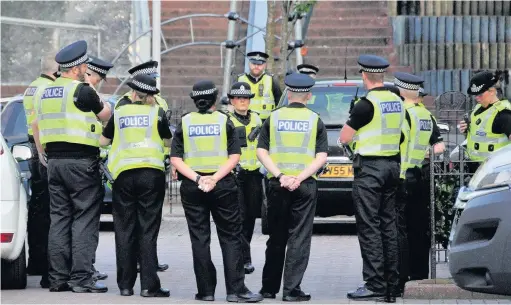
(14, 273)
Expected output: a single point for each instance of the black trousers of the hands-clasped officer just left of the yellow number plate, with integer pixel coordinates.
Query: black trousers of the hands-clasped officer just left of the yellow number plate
(291, 219)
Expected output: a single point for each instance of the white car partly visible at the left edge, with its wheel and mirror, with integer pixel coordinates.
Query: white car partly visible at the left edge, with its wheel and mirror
(13, 230)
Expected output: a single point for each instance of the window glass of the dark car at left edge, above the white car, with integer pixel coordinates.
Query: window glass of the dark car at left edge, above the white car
(14, 122)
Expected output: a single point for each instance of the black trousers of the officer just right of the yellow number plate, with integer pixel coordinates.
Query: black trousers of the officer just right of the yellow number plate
(374, 194)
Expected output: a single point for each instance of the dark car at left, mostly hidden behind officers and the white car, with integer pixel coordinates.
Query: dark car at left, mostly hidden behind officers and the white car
(14, 130)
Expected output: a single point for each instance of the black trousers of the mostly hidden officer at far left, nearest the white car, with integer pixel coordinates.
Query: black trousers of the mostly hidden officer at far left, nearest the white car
(38, 224)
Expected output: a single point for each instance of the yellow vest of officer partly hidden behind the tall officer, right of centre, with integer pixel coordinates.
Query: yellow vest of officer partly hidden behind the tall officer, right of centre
(417, 136)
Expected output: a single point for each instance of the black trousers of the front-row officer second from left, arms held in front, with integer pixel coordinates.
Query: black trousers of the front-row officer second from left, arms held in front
(137, 199)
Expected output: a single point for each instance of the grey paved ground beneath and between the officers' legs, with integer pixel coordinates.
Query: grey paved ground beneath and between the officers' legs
(334, 269)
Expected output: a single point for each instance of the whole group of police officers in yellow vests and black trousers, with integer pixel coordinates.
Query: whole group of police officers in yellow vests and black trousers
(222, 159)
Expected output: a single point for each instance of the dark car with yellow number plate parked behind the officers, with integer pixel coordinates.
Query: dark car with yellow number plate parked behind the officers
(331, 100)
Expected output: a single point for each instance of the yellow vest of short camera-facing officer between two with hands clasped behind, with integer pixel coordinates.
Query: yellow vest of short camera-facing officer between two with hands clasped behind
(248, 159)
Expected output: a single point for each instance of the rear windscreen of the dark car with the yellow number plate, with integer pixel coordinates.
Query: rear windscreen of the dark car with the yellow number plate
(331, 103)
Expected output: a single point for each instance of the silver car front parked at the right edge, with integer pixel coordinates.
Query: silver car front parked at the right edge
(480, 241)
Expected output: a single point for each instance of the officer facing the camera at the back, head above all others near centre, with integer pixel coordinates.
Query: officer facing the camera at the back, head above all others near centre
(264, 86)
